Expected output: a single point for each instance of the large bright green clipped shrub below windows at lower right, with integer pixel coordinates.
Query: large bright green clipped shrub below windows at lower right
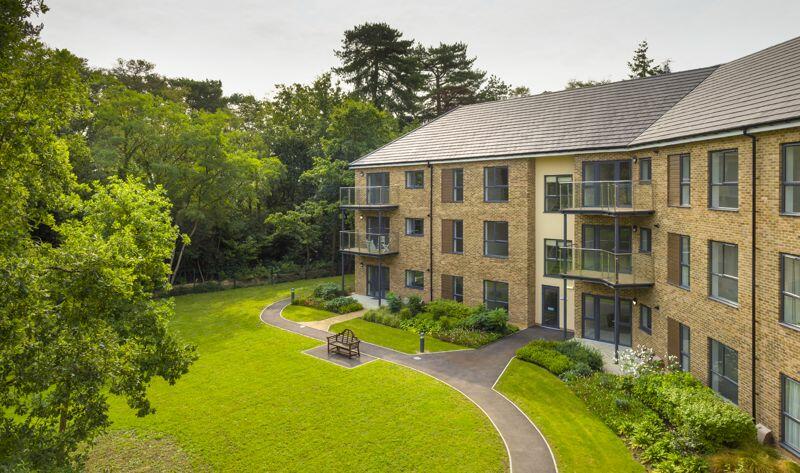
(694, 410)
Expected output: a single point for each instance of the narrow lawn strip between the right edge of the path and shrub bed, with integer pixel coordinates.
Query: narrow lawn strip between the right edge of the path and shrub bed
(580, 441)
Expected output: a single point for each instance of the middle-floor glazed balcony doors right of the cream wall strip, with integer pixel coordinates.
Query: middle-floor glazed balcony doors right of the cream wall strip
(601, 239)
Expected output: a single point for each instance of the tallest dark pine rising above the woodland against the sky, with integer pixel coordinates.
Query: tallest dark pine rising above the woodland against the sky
(382, 67)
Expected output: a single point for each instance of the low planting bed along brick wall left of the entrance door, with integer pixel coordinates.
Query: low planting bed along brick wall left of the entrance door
(446, 320)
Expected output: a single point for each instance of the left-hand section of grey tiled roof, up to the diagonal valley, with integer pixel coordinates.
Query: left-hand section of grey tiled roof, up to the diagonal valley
(603, 116)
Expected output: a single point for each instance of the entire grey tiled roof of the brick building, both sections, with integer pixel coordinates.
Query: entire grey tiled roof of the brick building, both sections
(760, 88)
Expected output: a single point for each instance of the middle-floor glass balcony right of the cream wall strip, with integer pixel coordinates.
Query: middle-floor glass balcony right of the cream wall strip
(605, 267)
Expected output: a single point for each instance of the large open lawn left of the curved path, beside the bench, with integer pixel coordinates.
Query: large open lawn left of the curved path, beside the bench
(254, 402)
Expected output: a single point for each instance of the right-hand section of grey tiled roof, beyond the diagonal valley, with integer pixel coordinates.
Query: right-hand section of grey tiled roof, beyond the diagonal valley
(760, 88)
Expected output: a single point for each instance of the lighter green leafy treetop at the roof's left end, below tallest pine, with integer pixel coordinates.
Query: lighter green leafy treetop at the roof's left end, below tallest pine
(357, 128)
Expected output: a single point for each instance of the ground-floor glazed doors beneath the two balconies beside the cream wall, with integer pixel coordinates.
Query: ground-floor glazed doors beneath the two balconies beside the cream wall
(598, 319)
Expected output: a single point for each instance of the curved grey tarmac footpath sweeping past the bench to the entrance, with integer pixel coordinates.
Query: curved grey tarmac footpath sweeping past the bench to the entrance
(472, 372)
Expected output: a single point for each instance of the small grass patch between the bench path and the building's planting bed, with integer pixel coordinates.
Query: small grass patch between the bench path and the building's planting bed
(390, 337)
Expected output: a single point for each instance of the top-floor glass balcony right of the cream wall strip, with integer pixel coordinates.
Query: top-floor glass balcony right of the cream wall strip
(606, 197)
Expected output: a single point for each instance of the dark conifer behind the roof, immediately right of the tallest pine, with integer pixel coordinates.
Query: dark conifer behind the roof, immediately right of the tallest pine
(450, 78)
